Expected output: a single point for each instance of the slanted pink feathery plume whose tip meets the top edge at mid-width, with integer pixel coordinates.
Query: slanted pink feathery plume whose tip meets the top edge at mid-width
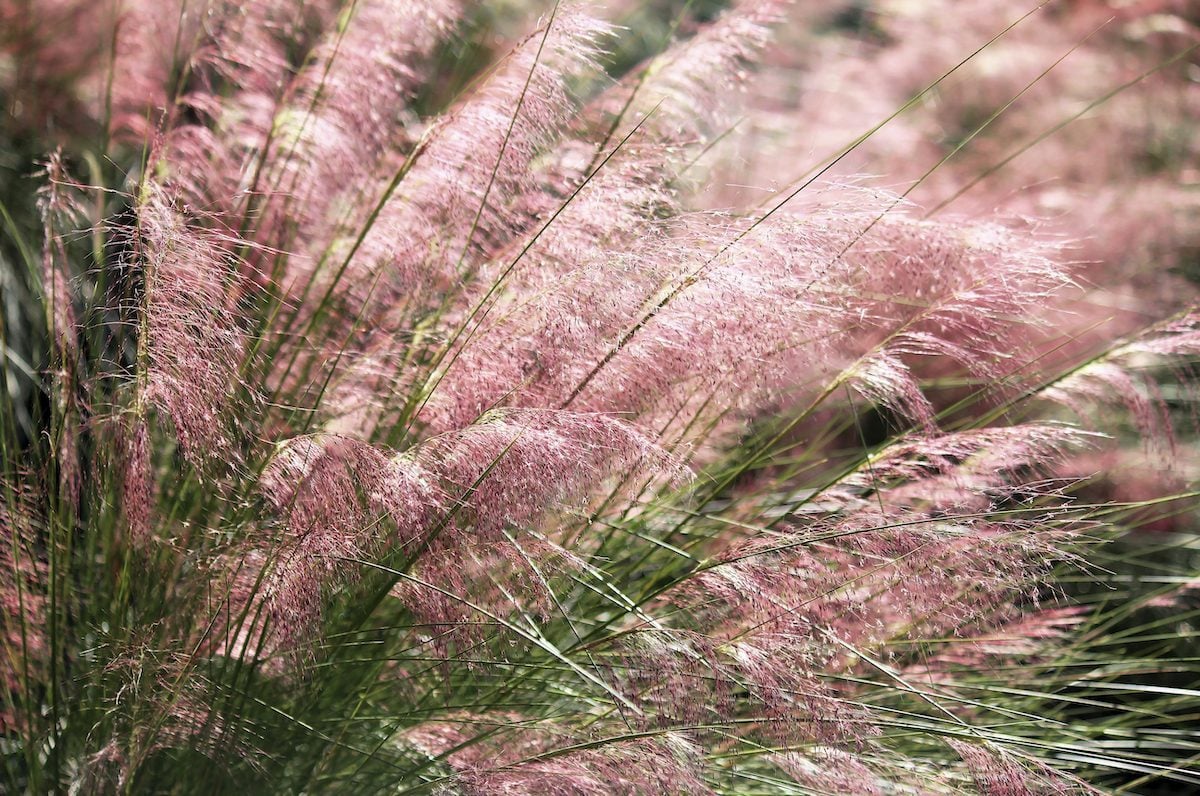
(459, 201)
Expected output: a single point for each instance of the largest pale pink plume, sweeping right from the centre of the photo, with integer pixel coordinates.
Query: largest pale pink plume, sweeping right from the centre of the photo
(761, 307)
